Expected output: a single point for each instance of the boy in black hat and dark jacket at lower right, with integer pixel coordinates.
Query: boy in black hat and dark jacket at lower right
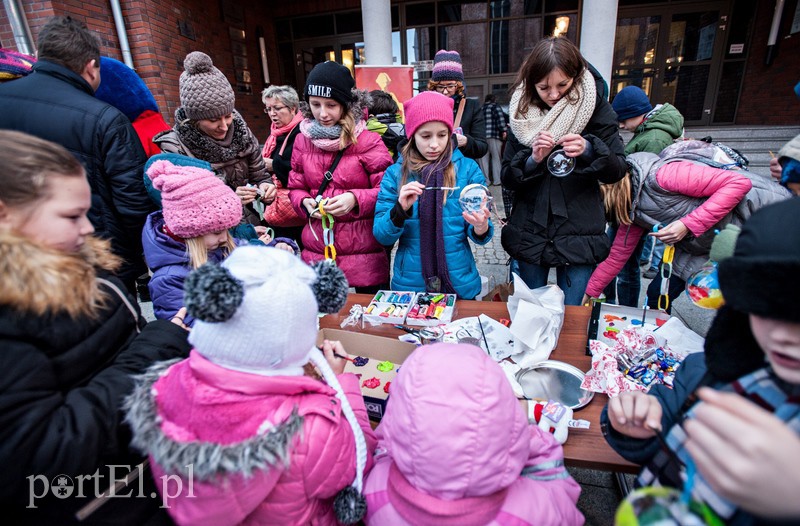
(744, 435)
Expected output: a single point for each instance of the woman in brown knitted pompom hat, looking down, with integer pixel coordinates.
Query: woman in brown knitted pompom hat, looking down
(208, 128)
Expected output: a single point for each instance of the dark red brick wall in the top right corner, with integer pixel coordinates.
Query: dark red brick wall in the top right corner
(767, 95)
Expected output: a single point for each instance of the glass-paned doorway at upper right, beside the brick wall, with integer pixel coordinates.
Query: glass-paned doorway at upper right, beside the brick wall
(675, 56)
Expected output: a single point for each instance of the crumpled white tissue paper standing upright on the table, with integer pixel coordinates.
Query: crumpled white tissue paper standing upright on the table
(536, 319)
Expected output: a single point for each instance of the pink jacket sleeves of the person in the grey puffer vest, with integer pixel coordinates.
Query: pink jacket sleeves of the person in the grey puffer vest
(724, 189)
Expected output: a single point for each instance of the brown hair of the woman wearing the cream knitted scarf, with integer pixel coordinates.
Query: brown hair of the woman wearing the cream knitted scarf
(547, 55)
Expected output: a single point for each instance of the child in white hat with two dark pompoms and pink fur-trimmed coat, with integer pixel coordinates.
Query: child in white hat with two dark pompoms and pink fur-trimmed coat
(238, 433)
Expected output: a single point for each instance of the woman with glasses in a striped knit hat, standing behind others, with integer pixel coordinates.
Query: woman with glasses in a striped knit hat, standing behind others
(448, 79)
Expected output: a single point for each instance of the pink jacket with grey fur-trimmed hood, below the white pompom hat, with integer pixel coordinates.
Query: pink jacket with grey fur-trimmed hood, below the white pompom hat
(221, 420)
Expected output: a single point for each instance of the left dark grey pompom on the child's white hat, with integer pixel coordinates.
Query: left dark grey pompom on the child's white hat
(212, 294)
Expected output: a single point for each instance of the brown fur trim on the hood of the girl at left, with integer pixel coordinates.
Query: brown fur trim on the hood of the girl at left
(38, 280)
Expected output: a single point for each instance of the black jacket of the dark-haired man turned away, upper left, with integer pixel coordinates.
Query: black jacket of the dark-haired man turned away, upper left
(58, 105)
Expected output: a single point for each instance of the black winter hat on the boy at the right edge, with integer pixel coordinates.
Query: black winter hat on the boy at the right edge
(763, 275)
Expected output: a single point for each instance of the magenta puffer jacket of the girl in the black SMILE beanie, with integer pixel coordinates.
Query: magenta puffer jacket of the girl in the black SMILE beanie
(358, 253)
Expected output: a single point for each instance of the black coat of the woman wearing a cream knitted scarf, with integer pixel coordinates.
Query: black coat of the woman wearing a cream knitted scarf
(561, 220)
